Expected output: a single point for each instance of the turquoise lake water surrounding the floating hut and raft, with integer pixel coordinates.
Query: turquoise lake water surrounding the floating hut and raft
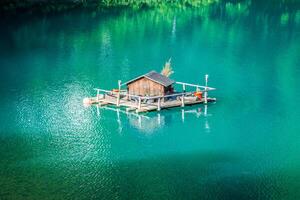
(245, 147)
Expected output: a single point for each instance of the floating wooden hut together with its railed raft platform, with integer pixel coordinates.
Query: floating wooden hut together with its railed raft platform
(152, 91)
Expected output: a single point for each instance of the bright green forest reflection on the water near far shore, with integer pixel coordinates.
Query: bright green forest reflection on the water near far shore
(273, 14)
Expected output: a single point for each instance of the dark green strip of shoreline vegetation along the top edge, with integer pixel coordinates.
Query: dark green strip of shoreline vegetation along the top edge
(16, 7)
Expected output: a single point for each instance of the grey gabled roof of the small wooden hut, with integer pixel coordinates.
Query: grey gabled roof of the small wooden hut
(156, 77)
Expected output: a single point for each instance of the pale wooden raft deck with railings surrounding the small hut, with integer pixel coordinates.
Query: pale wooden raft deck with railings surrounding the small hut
(139, 103)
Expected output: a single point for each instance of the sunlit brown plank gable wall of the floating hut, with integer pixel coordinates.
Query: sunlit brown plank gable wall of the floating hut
(145, 87)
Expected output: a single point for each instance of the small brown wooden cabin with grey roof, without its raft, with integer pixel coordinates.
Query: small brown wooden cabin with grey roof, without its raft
(150, 84)
